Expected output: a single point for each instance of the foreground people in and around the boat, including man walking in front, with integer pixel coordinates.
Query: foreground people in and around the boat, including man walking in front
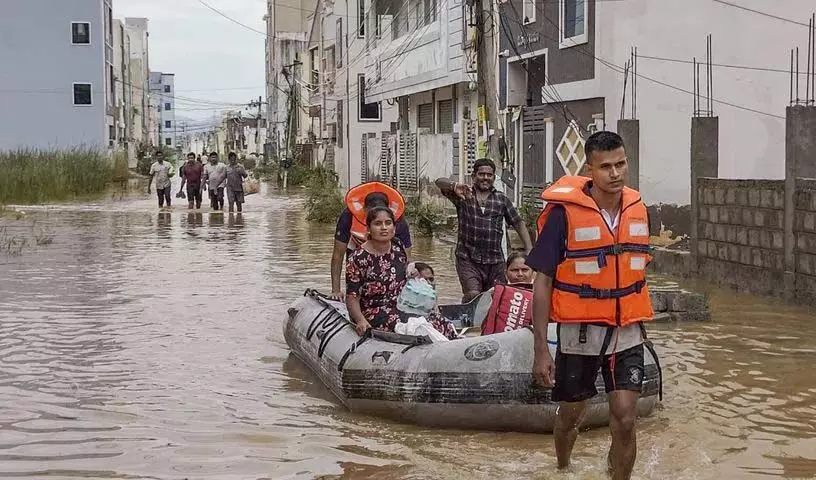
(586, 274)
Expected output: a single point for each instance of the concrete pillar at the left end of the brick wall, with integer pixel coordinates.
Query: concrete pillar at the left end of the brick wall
(705, 146)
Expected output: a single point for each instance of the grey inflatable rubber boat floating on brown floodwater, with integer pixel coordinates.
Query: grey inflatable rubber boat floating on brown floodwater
(481, 382)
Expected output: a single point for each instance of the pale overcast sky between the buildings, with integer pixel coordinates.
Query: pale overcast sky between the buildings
(215, 61)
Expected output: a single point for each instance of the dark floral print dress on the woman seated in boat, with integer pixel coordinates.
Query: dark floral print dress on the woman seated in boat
(377, 281)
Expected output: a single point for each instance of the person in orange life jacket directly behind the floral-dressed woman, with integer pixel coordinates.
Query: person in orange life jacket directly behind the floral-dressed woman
(351, 231)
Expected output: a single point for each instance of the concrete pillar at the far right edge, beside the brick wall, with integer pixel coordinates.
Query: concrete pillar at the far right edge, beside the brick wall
(800, 161)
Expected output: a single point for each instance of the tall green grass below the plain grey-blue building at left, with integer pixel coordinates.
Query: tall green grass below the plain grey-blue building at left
(37, 176)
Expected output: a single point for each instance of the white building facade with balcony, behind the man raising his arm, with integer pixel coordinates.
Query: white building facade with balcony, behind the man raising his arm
(421, 55)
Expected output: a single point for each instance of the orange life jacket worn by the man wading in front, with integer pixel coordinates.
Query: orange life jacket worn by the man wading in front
(602, 279)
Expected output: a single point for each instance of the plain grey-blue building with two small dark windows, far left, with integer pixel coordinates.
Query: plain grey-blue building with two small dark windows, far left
(57, 74)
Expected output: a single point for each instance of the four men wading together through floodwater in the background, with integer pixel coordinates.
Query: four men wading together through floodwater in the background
(215, 177)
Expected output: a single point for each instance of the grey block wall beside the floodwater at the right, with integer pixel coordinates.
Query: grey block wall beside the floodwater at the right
(741, 228)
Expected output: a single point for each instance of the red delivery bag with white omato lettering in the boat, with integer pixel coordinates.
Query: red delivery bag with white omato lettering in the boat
(511, 309)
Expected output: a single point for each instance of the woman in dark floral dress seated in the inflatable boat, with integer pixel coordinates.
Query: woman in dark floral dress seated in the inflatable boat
(375, 276)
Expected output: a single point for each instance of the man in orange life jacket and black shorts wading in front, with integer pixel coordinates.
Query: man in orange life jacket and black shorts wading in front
(591, 257)
